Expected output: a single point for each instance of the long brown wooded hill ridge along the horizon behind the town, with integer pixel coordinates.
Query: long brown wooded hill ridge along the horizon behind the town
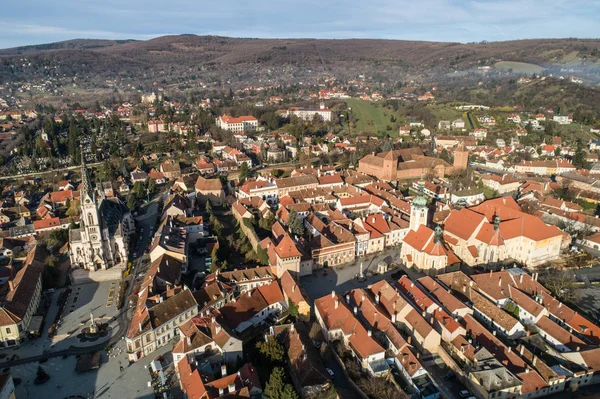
(224, 58)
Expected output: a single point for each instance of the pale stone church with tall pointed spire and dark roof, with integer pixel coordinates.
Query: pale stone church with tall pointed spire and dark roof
(102, 239)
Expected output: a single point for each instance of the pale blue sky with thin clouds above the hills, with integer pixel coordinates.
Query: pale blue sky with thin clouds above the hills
(24, 22)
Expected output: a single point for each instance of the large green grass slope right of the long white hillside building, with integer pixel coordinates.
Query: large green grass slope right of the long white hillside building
(371, 117)
